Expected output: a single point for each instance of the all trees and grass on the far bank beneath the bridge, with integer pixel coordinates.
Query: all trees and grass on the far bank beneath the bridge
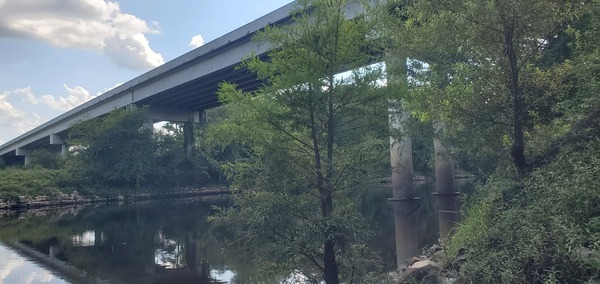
(111, 155)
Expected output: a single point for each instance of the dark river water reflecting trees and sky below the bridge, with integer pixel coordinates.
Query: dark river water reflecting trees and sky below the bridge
(166, 241)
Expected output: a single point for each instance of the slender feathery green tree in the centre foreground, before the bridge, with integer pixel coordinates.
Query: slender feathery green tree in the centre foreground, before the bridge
(312, 141)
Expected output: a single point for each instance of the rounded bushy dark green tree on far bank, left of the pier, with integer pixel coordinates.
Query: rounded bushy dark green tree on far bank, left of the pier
(115, 148)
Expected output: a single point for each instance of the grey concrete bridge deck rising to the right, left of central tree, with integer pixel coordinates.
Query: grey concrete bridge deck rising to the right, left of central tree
(176, 91)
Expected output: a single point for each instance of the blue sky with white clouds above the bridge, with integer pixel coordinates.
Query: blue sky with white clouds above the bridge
(58, 54)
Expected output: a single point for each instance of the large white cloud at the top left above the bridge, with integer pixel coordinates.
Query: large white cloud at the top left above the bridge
(97, 25)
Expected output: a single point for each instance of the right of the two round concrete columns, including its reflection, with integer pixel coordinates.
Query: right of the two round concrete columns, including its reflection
(447, 196)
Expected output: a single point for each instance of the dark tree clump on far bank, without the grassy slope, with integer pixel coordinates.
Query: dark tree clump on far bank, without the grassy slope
(118, 151)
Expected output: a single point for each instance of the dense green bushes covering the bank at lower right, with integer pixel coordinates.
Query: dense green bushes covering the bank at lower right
(543, 229)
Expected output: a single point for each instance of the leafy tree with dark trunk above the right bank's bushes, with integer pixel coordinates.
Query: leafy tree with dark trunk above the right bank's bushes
(487, 70)
